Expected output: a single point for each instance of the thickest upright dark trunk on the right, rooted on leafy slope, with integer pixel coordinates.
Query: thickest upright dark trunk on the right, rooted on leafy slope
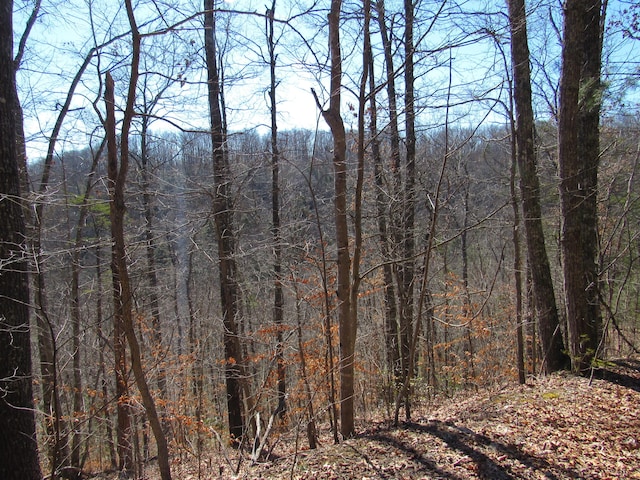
(579, 152)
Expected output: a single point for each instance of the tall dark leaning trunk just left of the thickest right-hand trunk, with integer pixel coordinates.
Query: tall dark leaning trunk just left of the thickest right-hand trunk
(548, 322)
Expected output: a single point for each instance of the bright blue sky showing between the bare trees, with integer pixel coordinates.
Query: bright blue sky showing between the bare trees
(471, 75)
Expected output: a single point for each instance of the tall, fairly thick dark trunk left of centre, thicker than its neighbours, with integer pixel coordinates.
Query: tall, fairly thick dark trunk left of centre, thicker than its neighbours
(223, 217)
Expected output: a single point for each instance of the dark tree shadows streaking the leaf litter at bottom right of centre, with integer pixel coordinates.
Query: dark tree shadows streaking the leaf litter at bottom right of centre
(511, 462)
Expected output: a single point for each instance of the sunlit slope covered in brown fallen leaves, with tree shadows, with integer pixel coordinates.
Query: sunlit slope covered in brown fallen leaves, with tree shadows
(555, 427)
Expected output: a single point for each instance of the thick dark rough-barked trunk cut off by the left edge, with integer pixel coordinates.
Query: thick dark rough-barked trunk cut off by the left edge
(18, 448)
